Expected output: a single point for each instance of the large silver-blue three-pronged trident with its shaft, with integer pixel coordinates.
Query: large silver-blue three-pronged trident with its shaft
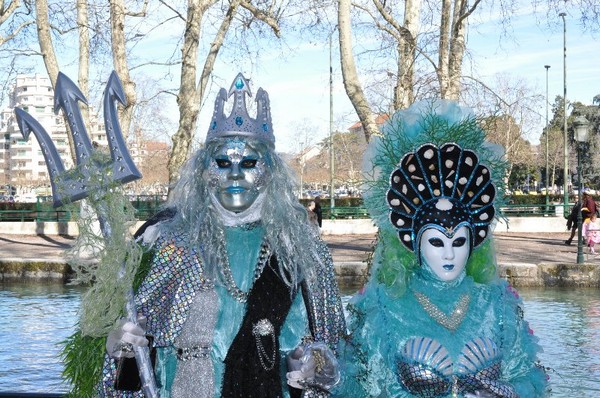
(72, 185)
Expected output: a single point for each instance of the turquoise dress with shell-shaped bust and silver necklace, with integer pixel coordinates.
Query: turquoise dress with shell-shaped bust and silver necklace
(398, 348)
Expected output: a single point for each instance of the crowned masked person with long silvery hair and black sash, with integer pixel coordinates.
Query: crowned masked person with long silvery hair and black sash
(236, 277)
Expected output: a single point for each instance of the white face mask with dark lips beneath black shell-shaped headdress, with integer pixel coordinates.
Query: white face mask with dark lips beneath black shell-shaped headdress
(446, 257)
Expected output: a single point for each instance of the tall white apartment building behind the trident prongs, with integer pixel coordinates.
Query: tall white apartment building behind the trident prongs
(21, 161)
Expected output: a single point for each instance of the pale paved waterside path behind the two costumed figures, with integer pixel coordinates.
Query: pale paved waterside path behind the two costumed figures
(511, 248)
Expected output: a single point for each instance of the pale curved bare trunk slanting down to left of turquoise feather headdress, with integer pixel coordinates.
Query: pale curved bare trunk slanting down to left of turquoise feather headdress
(349, 73)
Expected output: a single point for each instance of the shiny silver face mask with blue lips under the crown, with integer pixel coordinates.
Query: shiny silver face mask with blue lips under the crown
(237, 175)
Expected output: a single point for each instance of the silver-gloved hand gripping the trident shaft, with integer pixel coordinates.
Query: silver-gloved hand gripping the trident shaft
(127, 335)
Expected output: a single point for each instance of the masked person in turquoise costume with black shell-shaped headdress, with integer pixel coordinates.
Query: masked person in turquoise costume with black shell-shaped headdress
(435, 320)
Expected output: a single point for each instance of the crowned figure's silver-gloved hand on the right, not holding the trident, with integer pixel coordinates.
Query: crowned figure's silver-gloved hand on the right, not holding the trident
(313, 365)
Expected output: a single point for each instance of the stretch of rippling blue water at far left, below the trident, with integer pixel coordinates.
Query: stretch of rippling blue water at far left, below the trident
(35, 318)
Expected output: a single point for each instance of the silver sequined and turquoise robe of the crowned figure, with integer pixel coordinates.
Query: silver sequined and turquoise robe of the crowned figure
(185, 310)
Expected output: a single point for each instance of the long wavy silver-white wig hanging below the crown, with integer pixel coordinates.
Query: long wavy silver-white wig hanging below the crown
(287, 231)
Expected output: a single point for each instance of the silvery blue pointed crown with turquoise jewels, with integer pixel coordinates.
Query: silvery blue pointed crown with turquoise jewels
(239, 123)
